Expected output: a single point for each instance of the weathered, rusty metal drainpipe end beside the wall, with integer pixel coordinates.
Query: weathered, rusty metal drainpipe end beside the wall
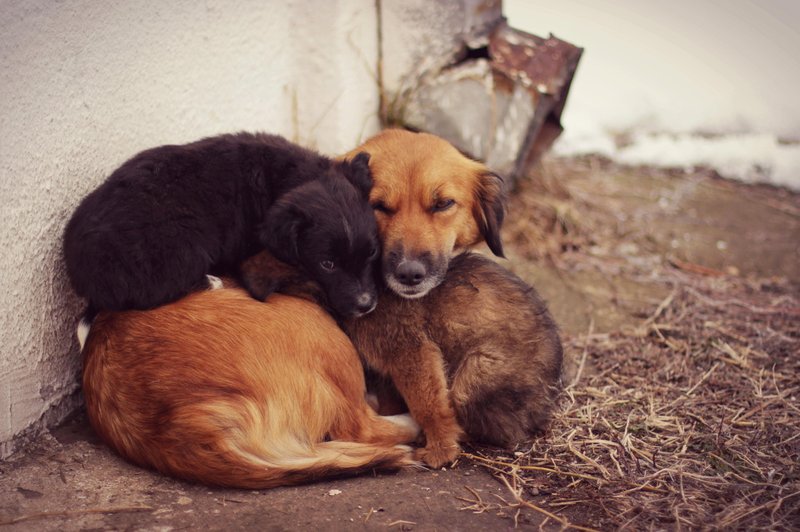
(501, 101)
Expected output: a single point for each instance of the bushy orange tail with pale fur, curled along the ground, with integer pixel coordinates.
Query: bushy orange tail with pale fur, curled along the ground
(230, 443)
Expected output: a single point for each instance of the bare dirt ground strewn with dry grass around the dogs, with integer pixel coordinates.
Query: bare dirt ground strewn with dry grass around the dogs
(678, 295)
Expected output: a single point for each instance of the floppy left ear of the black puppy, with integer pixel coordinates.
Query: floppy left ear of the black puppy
(281, 231)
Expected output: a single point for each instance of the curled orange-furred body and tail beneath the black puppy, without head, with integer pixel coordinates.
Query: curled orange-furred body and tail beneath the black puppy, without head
(222, 389)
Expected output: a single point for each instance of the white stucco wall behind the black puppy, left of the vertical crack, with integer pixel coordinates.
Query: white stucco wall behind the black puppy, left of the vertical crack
(85, 84)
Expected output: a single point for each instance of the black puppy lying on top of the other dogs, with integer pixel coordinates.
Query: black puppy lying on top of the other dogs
(172, 215)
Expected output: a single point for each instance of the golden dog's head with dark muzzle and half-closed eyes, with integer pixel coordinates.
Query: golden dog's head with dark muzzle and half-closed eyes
(431, 202)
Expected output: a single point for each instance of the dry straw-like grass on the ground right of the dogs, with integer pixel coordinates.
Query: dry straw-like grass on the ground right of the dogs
(689, 420)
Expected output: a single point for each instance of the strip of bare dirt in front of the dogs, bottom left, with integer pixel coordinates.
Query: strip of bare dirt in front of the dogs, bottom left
(72, 471)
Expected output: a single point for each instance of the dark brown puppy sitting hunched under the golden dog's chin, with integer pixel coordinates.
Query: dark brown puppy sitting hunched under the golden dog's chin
(480, 352)
